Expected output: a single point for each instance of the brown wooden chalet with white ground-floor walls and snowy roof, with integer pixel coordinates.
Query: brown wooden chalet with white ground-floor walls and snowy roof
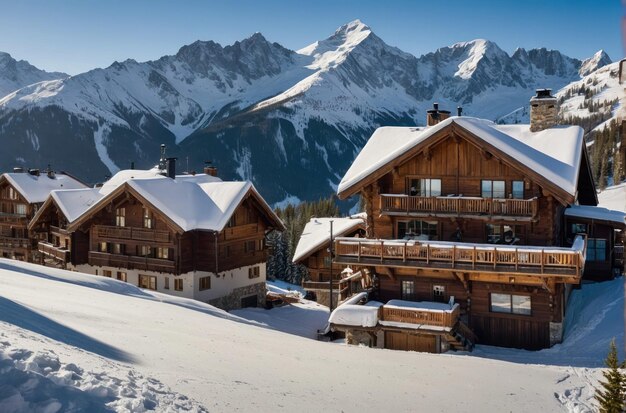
(194, 236)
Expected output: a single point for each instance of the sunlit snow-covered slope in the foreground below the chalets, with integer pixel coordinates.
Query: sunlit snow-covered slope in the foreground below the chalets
(99, 343)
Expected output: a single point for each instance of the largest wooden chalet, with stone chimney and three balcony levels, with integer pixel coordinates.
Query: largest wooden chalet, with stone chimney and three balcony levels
(468, 231)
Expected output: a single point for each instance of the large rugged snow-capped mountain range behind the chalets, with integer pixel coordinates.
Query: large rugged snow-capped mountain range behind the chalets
(291, 121)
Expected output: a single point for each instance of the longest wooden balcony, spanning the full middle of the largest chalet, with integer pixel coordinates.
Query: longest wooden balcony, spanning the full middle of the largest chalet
(465, 257)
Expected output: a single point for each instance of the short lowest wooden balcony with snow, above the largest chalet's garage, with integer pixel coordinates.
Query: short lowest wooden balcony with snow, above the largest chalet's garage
(426, 316)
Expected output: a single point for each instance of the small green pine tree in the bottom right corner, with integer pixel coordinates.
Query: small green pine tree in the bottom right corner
(612, 396)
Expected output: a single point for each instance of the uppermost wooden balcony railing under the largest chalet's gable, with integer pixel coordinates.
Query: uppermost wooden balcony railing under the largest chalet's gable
(458, 205)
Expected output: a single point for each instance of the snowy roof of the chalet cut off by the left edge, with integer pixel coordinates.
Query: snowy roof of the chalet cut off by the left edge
(35, 189)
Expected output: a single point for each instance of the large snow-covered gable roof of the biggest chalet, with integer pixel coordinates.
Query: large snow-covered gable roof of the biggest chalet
(553, 153)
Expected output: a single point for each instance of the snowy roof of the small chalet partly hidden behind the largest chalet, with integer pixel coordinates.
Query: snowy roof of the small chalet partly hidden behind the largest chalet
(316, 233)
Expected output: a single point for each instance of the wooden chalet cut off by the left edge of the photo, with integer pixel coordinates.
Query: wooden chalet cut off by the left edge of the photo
(22, 192)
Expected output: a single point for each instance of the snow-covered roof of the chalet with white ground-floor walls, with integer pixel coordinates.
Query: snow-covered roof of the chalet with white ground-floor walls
(189, 202)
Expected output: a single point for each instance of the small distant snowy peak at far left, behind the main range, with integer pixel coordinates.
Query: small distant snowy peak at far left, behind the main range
(15, 74)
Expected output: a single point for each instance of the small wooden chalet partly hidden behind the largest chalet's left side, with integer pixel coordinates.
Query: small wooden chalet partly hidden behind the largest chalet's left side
(313, 252)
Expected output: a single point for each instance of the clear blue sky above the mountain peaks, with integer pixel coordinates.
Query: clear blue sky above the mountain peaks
(77, 35)
